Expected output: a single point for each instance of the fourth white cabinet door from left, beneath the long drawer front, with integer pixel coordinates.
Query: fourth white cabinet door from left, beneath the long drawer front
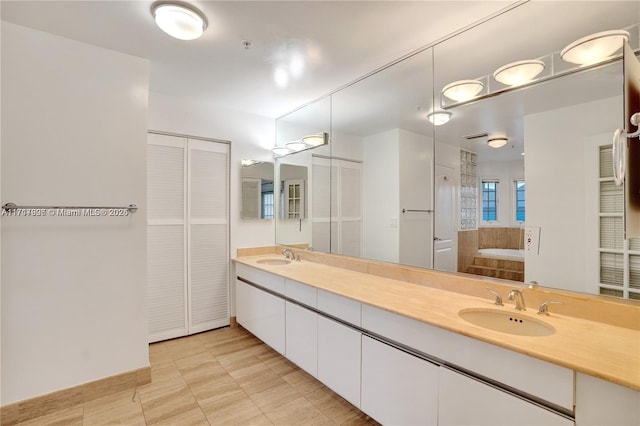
(398, 388)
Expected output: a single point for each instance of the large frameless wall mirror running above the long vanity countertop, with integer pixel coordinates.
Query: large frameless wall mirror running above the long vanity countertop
(543, 207)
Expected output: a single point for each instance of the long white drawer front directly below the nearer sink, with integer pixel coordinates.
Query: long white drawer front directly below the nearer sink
(549, 382)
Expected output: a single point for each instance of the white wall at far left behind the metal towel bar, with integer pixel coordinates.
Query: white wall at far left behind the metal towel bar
(73, 289)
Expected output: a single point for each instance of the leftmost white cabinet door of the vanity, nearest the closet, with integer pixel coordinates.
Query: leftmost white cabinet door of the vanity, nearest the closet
(262, 314)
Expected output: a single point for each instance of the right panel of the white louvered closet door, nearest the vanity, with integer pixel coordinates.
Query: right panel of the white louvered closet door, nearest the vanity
(208, 236)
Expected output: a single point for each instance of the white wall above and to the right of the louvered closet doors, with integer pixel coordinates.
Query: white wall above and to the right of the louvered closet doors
(251, 136)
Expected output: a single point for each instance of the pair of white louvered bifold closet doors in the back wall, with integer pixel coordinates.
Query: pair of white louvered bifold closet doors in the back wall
(187, 236)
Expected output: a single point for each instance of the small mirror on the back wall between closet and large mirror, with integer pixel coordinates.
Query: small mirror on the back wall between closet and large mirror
(258, 198)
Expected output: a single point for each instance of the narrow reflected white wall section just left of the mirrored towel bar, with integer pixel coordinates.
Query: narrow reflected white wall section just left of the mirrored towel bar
(380, 200)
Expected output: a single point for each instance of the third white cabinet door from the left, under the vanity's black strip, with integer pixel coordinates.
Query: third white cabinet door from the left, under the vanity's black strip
(339, 359)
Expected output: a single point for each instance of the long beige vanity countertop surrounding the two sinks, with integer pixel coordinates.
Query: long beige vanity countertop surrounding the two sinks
(597, 349)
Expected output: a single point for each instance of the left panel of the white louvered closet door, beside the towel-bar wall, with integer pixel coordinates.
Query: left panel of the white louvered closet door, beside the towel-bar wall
(166, 237)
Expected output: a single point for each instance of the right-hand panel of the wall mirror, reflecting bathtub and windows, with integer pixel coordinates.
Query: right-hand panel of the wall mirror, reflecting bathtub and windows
(543, 206)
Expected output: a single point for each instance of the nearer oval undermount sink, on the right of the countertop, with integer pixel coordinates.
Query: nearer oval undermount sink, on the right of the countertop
(506, 322)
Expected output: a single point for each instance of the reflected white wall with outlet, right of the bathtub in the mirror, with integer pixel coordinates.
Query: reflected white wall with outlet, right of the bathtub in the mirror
(562, 144)
